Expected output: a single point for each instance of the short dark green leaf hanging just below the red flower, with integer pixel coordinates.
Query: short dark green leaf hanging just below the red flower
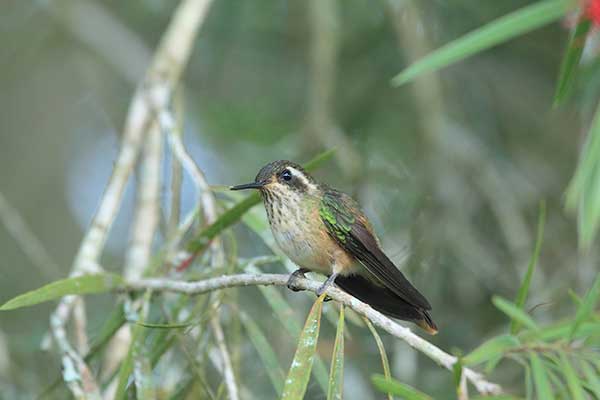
(568, 68)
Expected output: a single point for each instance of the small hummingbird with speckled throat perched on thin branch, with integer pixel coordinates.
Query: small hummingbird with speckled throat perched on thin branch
(324, 230)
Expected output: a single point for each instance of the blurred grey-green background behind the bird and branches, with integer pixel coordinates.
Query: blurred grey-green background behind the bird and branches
(450, 168)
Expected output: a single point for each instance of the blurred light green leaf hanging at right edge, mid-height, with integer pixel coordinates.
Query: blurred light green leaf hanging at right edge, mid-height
(583, 193)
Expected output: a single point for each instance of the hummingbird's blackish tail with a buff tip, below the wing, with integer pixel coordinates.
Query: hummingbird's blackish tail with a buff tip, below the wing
(386, 302)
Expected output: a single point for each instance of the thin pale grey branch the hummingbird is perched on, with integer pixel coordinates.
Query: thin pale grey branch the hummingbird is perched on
(226, 281)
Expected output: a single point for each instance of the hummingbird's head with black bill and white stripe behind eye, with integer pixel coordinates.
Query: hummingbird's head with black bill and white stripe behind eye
(282, 179)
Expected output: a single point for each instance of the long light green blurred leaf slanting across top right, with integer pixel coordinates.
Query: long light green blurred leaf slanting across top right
(501, 30)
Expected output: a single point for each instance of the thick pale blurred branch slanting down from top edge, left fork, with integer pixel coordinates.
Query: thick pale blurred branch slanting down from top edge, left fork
(153, 94)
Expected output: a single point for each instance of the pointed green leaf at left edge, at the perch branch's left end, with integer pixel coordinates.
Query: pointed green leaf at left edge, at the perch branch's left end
(85, 284)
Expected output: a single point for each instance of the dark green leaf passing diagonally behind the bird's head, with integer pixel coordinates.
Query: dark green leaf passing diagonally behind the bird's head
(232, 215)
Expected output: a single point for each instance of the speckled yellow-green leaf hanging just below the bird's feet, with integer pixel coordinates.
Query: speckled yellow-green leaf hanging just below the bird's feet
(299, 372)
